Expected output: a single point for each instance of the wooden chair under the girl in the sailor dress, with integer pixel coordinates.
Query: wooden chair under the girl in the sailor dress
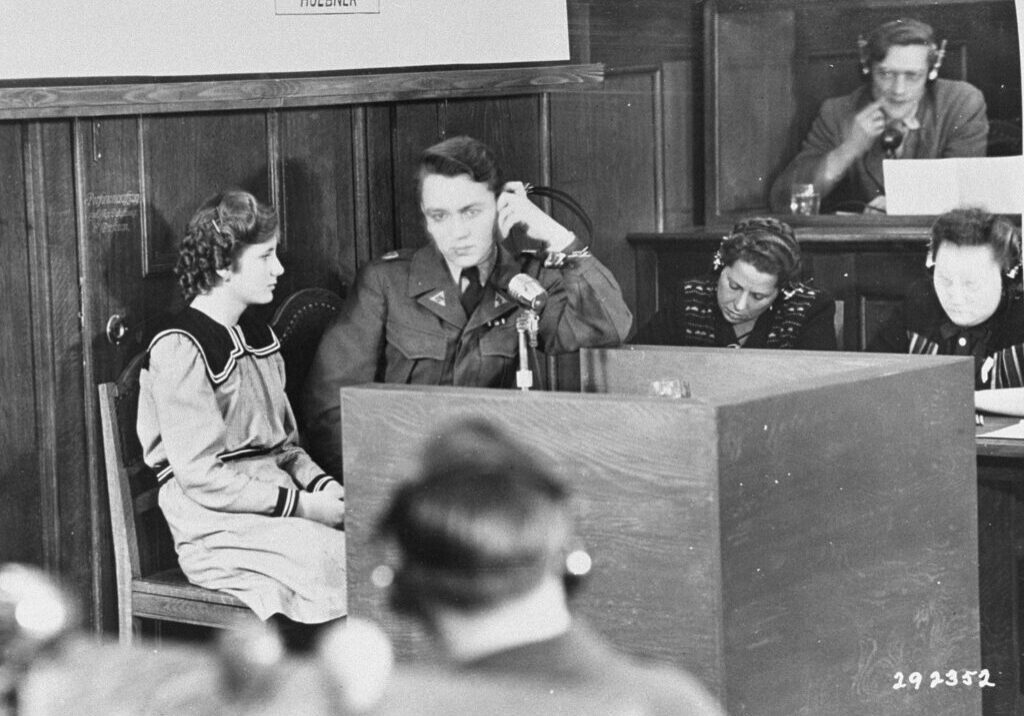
(150, 583)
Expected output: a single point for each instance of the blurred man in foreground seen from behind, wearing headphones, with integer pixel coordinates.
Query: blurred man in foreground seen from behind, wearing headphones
(487, 560)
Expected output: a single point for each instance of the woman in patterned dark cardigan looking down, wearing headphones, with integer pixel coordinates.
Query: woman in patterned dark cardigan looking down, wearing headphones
(753, 299)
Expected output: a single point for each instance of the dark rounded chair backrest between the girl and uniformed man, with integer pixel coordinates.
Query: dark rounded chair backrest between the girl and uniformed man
(300, 324)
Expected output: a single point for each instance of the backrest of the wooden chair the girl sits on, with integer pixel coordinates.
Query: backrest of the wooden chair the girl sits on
(142, 540)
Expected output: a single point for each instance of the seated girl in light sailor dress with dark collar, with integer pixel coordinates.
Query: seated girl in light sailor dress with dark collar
(251, 514)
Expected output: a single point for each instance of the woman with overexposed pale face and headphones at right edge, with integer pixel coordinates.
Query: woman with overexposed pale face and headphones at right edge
(971, 306)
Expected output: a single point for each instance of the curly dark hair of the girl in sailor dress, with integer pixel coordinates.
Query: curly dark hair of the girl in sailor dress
(221, 229)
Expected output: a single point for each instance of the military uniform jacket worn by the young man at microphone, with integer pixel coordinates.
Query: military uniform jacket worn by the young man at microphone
(404, 323)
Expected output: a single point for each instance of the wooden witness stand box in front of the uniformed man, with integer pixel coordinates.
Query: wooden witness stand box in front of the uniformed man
(798, 534)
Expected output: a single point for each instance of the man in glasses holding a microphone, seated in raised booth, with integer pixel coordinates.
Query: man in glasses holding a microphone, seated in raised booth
(904, 110)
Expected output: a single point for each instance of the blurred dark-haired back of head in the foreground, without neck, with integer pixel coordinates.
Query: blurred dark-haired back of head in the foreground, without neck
(484, 525)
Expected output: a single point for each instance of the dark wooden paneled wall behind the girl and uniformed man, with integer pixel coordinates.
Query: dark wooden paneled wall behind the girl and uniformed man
(92, 208)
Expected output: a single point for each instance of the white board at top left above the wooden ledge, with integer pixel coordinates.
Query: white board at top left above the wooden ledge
(186, 38)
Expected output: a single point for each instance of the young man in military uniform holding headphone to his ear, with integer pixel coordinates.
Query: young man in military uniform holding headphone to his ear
(443, 315)
